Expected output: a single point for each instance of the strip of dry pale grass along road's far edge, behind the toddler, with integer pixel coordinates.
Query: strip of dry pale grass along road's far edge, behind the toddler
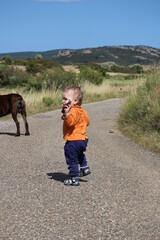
(47, 100)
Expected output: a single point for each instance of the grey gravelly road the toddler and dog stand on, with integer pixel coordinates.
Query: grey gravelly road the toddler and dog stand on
(120, 200)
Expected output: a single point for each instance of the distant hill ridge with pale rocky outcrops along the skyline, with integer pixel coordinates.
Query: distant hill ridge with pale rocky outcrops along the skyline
(122, 55)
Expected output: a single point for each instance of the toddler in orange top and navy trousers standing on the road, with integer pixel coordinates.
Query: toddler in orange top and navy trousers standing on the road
(74, 132)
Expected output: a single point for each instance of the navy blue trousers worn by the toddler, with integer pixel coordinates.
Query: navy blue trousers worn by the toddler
(74, 154)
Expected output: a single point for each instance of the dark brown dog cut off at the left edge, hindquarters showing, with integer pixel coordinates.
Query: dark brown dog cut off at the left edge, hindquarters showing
(13, 103)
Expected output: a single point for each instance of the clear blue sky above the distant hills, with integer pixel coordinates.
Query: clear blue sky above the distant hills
(41, 25)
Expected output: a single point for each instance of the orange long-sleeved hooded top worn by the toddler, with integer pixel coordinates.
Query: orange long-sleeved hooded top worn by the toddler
(74, 125)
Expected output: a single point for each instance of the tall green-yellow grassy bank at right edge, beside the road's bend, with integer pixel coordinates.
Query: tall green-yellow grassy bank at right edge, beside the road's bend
(140, 114)
